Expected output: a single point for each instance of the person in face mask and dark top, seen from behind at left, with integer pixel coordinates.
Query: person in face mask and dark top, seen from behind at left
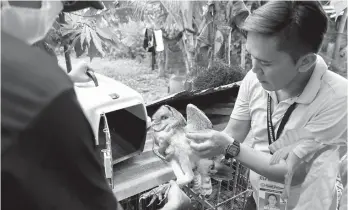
(48, 158)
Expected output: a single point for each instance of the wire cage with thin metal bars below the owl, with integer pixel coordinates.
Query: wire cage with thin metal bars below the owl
(227, 194)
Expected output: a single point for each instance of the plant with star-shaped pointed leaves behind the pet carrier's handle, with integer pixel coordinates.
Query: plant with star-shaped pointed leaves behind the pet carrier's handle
(89, 31)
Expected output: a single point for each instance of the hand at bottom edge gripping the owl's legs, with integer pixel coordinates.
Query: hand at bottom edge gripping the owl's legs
(177, 199)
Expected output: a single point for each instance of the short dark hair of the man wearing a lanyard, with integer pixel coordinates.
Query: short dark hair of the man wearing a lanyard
(299, 25)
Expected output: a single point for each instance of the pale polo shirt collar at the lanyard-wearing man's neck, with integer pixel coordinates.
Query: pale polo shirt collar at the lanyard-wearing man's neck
(313, 86)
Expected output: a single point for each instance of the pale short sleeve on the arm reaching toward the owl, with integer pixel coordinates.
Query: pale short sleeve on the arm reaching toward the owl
(241, 109)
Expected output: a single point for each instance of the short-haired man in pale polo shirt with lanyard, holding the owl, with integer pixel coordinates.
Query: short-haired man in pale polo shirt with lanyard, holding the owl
(283, 38)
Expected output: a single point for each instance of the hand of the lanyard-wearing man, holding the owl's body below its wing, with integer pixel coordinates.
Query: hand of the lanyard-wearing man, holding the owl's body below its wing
(209, 143)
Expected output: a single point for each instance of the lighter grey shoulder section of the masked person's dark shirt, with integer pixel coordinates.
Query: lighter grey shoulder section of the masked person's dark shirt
(31, 81)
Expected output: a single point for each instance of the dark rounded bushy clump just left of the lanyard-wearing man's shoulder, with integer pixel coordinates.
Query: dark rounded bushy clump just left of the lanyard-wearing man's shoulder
(217, 75)
